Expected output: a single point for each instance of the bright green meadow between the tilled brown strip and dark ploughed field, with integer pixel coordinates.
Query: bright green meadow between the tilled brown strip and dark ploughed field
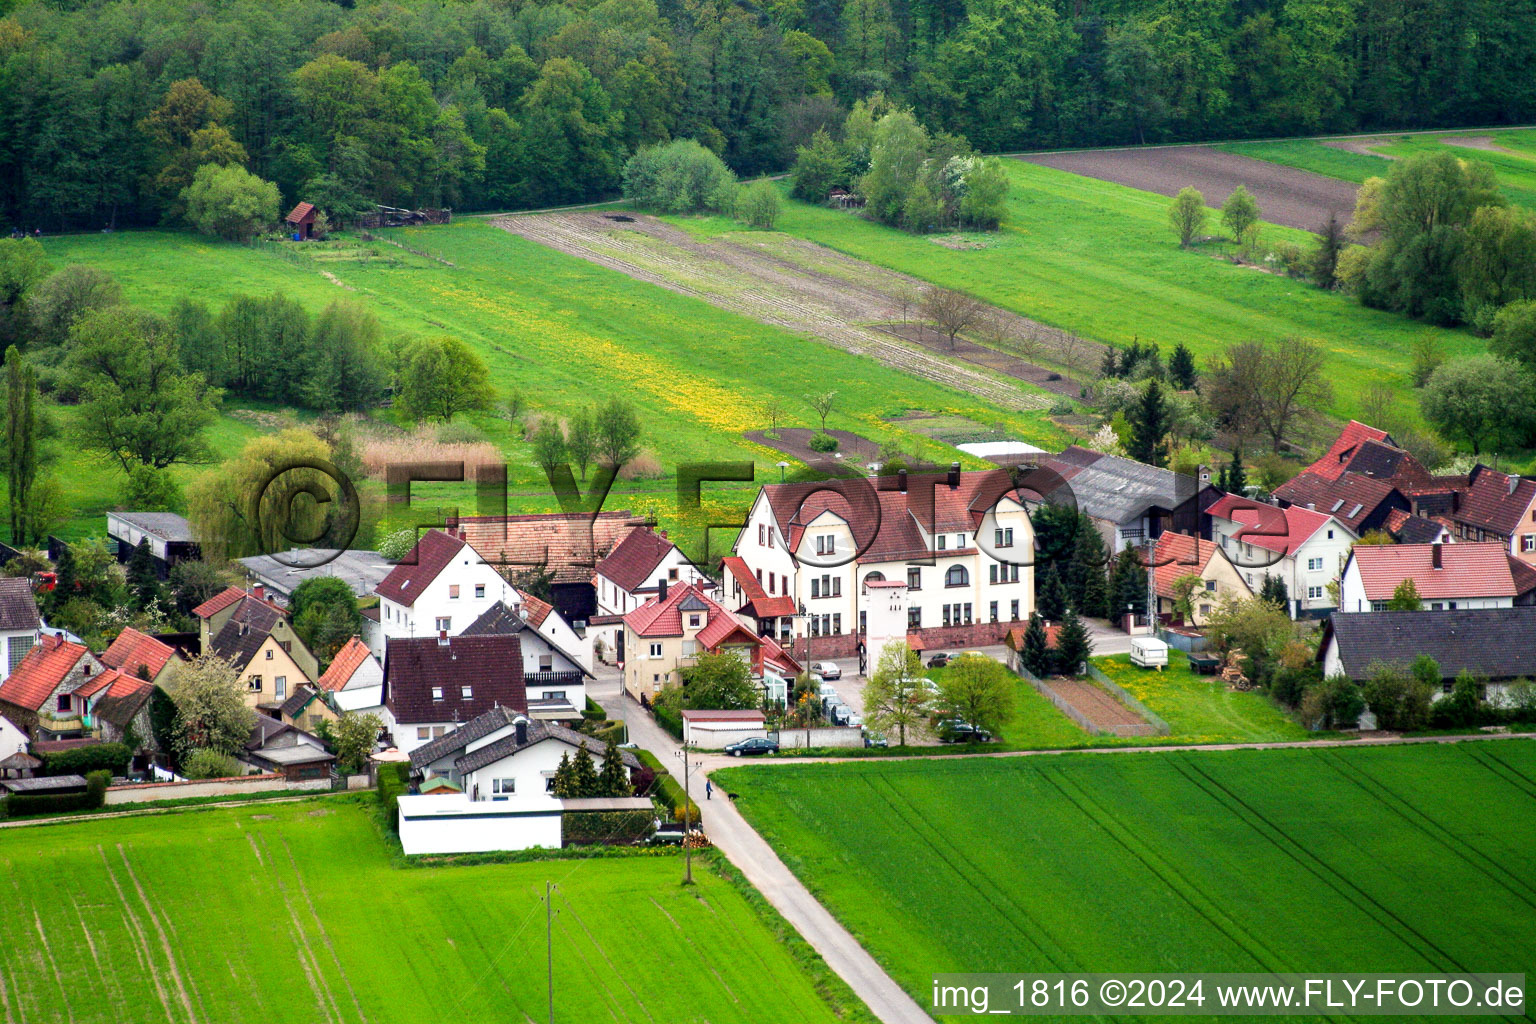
(1099, 259)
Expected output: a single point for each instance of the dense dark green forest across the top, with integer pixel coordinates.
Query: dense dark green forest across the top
(514, 104)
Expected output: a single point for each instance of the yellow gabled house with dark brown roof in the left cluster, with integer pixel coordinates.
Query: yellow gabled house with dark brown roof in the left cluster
(260, 644)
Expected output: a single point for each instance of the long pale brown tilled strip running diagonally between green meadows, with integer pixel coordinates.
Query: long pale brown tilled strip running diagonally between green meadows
(798, 286)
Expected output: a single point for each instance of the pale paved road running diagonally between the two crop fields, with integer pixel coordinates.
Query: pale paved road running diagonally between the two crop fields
(756, 860)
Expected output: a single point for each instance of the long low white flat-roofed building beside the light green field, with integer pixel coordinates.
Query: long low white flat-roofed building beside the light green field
(451, 824)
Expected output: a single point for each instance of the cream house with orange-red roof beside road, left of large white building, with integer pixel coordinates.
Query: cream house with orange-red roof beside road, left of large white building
(672, 630)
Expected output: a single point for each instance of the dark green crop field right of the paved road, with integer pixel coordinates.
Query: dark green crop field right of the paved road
(1322, 860)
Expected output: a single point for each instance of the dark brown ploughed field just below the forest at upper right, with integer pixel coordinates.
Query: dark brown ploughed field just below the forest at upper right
(1286, 196)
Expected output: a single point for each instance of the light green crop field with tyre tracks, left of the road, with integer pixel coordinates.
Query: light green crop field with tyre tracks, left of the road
(297, 914)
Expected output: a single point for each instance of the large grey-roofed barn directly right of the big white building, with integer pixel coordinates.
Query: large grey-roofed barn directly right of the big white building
(1133, 503)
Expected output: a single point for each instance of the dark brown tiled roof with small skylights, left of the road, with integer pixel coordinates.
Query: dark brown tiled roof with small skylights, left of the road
(489, 666)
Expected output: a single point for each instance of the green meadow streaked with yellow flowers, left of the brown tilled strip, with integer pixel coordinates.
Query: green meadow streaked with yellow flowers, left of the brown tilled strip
(563, 334)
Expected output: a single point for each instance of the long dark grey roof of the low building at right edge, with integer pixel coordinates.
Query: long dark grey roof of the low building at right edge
(1492, 642)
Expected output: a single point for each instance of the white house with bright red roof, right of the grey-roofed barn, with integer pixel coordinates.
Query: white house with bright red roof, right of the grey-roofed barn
(1302, 547)
